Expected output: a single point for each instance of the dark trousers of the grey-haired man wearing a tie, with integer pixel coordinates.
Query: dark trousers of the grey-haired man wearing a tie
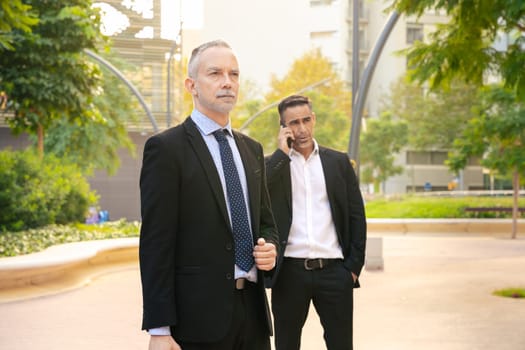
(248, 330)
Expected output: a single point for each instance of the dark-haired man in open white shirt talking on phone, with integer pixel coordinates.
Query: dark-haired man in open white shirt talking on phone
(320, 217)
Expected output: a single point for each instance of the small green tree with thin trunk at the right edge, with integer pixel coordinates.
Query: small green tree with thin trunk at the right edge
(497, 135)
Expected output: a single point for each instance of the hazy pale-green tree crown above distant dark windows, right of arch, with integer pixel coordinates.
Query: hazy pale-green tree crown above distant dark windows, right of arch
(435, 118)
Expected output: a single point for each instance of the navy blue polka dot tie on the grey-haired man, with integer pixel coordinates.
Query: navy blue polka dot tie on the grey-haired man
(238, 210)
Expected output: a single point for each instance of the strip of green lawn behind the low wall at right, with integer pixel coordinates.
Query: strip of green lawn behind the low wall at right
(426, 207)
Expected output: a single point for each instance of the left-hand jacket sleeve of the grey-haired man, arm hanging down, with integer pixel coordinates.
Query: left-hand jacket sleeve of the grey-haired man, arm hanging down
(159, 208)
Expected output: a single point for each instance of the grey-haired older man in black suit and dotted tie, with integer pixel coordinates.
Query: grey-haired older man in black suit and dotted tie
(207, 229)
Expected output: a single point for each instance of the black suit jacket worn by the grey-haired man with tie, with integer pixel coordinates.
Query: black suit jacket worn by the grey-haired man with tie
(186, 241)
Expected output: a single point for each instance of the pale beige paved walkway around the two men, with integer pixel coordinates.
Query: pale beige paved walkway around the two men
(434, 293)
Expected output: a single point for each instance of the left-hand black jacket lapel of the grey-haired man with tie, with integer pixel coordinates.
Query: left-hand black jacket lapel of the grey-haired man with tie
(203, 154)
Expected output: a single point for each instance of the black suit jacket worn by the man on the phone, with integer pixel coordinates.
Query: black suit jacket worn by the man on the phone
(346, 204)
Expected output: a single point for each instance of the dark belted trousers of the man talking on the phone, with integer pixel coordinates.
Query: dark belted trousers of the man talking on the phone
(331, 291)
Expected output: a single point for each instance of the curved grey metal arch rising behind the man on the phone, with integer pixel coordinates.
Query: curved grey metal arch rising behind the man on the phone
(362, 92)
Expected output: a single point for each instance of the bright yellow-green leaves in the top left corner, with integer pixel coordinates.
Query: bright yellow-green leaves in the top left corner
(14, 15)
